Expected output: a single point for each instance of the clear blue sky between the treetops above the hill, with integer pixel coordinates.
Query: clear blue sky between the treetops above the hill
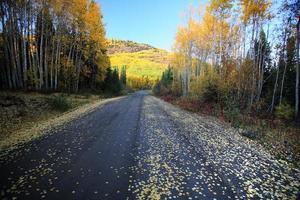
(148, 21)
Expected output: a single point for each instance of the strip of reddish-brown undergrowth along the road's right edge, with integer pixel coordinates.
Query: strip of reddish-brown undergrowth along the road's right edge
(279, 137)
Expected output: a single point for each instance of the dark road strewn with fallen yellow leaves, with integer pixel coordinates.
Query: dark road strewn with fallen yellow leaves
(139, 147)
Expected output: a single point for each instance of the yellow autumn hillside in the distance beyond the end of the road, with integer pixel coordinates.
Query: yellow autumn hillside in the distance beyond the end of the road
(140, 59)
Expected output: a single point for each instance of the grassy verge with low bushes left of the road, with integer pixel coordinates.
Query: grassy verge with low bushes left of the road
(21, 110)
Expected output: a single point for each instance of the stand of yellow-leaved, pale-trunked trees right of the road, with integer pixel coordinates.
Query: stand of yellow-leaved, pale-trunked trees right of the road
(242, 56)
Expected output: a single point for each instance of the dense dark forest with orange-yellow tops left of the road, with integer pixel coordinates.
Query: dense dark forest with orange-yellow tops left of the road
(54, 45)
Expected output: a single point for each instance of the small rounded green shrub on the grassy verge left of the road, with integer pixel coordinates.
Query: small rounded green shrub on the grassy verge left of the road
(59, 102)
